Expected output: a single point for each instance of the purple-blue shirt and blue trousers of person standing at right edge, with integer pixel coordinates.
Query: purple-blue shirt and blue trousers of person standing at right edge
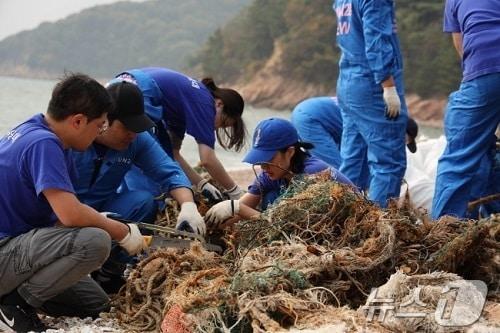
(473, 112)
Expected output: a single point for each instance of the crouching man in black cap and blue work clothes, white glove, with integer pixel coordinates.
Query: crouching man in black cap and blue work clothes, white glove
(103, 166)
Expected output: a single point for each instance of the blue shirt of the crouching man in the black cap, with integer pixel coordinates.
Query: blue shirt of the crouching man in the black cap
(144, 152)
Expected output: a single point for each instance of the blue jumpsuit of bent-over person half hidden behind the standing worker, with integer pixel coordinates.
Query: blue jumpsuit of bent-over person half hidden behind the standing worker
(318, 120)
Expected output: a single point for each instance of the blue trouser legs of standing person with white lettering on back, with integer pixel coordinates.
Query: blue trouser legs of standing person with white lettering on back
(368, 136)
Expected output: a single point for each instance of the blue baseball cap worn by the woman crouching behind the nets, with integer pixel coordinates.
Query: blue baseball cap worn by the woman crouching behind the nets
(270, 136)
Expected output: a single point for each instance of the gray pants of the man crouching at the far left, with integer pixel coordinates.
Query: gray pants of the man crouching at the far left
(50, 267)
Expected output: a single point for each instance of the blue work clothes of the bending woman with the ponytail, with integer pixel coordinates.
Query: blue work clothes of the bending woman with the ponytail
(178, 105)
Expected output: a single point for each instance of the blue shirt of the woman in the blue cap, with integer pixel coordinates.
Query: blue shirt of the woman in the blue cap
(270, 190)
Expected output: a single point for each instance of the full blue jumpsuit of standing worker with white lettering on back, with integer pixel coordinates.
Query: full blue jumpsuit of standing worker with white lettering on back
(366, 35)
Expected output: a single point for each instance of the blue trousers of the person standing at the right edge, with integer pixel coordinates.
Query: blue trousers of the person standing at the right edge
(472, 116)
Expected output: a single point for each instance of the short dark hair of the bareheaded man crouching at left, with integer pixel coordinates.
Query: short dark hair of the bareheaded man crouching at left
(78, 93)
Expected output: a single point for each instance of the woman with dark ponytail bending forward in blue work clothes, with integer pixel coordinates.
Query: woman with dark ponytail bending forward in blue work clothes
(178, 105)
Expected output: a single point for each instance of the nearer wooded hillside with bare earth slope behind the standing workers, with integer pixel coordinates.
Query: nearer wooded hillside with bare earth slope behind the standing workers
(295, 40)
